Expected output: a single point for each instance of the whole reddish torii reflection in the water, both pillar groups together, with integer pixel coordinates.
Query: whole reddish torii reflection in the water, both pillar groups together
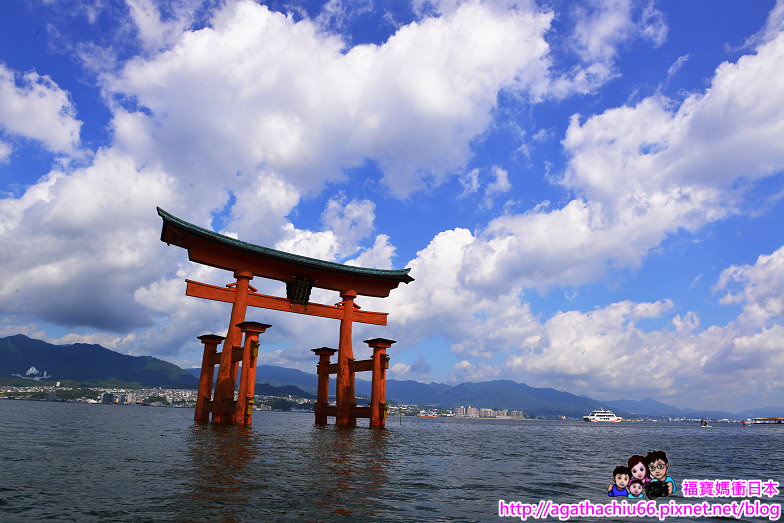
(283, 468)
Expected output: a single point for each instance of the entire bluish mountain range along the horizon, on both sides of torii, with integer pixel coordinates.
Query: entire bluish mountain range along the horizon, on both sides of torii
(20, 356)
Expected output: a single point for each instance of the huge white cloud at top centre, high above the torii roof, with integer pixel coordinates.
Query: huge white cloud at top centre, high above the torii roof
(279, 93)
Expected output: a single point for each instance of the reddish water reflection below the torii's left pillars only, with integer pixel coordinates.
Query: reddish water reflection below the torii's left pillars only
(220, 481)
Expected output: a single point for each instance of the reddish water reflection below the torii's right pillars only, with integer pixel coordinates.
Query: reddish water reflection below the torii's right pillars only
(348, 471)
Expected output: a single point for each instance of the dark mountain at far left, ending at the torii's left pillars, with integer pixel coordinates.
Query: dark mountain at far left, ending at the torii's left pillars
(21, 356)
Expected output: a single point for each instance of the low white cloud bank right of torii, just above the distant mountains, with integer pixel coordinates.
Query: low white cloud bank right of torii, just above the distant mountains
(600, 352)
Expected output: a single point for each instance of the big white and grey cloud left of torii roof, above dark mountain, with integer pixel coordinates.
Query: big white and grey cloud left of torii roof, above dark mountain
(77, 245)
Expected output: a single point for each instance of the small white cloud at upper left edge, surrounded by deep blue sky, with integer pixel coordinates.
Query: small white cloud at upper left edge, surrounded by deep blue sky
(34, 106)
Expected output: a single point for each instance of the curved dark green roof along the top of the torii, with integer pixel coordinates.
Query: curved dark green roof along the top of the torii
(400, 275)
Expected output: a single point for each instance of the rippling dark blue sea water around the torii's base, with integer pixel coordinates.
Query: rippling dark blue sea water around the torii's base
(82, 462)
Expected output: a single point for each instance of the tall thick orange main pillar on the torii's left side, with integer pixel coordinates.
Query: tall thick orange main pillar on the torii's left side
(223, 404)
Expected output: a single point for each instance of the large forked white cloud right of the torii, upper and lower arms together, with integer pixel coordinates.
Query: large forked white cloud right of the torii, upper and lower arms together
(640, 173)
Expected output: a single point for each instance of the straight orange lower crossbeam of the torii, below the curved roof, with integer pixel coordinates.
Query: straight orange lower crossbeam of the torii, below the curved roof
(264, 301)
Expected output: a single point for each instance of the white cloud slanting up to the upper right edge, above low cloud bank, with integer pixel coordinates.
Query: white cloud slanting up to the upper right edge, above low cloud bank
(640, 173)
